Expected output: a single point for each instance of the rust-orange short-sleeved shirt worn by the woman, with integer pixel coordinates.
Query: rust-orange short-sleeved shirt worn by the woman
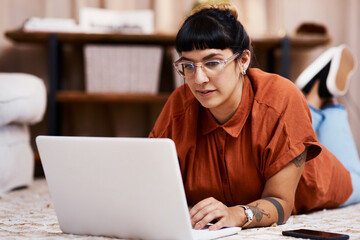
(231, 162)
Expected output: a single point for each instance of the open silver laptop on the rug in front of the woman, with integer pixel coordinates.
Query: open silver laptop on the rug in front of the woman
(119, 187)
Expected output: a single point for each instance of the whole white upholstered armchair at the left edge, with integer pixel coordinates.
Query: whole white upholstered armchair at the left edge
(22, 103)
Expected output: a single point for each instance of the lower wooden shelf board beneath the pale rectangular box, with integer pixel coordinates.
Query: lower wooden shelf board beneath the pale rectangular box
(84, 97)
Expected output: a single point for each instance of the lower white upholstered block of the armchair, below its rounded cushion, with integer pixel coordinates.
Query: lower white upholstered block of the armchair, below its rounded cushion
(16, 157)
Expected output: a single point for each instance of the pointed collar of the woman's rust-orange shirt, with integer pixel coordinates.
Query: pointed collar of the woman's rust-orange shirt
(235, 124)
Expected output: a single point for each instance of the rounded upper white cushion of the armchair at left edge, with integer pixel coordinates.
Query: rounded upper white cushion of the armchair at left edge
(22, 98)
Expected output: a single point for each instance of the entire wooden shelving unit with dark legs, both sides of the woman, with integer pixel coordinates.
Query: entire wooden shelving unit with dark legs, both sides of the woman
(55, 41)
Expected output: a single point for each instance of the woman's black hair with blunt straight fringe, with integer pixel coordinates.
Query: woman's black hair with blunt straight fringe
(212, 28)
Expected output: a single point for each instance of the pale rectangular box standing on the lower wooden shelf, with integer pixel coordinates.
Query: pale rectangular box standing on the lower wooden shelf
(122, 69)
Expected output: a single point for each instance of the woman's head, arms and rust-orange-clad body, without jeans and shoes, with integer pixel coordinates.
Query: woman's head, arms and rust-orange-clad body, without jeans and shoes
(243, 135)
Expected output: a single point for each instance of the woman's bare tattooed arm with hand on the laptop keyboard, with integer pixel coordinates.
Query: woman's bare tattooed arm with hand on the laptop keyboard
(275, 205)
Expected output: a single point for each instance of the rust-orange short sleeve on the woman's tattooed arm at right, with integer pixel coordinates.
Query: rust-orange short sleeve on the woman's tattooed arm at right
(289, 131)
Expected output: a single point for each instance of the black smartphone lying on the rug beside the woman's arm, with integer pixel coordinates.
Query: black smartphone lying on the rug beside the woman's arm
(312, 234)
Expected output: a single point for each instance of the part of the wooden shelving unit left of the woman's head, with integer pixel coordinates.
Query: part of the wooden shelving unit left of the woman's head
(54, 42)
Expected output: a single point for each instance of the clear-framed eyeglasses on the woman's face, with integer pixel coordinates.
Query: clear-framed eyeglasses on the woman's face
(186, 69)
